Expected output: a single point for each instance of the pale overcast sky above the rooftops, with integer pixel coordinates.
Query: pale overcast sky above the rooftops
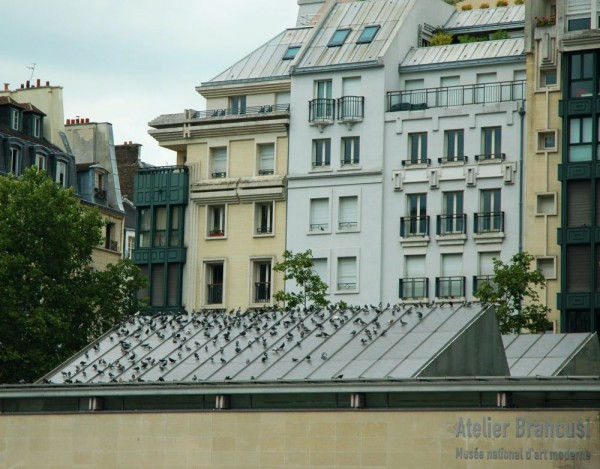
(127, 61)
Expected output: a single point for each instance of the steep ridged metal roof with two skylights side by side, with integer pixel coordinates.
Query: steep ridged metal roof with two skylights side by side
(355, 16)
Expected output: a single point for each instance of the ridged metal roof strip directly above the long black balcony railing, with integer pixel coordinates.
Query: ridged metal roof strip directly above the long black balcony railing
(456, 53)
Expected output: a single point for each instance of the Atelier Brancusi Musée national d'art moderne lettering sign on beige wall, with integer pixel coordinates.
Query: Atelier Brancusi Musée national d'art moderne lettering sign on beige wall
(528, 439)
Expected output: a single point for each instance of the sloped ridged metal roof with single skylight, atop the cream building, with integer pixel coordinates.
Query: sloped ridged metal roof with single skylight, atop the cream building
(266, 61)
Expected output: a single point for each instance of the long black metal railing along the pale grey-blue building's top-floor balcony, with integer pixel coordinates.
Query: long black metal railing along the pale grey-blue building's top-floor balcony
(456, 95)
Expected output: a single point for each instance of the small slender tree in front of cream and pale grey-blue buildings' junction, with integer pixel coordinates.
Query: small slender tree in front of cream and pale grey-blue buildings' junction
(299, 267)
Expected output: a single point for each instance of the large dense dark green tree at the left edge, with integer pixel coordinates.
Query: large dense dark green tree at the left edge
(52, 303)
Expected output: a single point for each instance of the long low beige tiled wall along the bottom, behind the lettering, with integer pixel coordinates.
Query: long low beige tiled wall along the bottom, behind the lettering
(384, 439)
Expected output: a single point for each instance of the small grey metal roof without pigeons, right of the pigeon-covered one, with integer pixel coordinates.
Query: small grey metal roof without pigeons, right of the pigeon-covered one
(552, 354)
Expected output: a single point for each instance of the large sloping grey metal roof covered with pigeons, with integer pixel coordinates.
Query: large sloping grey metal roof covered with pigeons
(359, 343)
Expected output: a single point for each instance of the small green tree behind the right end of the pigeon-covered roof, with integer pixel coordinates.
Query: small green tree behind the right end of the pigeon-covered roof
(513, 294)
